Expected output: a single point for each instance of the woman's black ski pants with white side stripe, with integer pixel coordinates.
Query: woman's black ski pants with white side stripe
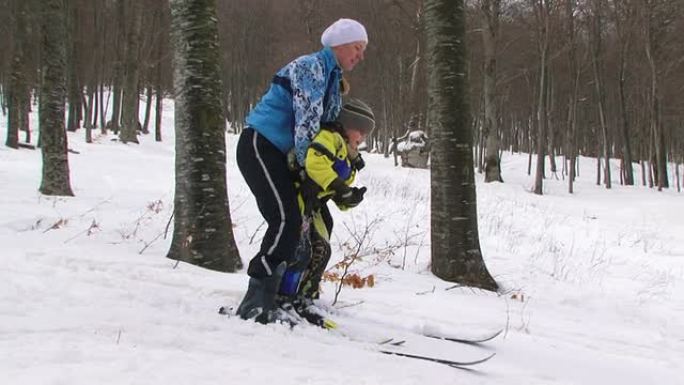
(264, 168)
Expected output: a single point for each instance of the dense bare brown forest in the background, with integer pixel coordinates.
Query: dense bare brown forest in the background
(560, 79)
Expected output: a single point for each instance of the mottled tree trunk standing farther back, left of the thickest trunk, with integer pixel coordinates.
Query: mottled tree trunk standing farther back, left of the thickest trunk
(55, 179)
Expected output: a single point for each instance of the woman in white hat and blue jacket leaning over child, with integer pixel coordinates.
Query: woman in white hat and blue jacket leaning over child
(304, 93)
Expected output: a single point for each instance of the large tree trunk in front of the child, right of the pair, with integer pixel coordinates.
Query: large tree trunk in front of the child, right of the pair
(456, 254)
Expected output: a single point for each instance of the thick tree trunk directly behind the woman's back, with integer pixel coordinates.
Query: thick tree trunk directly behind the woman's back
(203, 233)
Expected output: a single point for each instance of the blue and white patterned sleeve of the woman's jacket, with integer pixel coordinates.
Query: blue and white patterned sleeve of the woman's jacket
(307, 79)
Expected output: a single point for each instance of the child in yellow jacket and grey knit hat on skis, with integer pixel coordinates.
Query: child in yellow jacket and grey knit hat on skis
(330, 167)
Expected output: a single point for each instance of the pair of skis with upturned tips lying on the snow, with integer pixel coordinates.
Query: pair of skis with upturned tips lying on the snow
(386, 345)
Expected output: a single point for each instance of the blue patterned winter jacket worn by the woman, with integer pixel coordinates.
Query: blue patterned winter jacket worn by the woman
(302, 94)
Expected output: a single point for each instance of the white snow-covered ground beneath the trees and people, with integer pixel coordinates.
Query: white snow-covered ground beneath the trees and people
(593, 282)
